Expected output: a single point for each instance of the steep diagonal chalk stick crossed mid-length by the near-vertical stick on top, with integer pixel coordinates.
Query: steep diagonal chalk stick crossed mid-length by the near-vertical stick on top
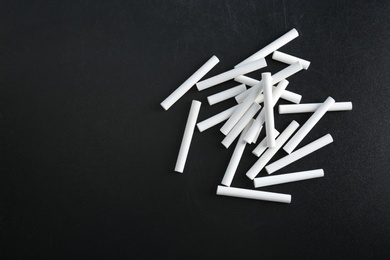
(258, 124)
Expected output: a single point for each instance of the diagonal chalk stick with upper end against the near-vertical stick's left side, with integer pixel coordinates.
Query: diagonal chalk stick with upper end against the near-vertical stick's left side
(241, 109)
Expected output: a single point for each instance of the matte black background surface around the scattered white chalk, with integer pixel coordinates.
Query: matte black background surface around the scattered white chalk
(87, 153)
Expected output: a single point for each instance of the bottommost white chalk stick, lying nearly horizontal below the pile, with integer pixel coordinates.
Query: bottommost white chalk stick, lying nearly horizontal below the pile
(253, 194)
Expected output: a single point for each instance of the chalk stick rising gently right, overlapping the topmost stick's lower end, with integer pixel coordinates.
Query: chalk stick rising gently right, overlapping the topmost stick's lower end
(231, 74)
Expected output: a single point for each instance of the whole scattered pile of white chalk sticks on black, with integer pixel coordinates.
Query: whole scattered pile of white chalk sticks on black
(245, 120)
